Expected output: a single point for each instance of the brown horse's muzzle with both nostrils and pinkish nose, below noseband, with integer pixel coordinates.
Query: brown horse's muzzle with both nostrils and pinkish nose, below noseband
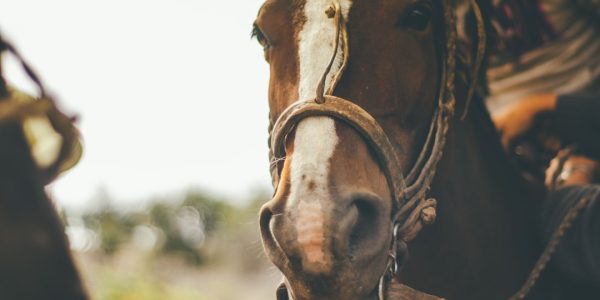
(328, 252)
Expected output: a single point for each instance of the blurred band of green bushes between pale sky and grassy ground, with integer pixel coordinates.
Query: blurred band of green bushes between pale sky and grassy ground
(198, 227)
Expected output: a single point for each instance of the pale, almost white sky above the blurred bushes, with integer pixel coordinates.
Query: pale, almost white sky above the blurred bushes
(171, 94)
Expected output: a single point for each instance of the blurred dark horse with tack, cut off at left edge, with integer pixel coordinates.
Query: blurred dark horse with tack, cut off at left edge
(35, 262)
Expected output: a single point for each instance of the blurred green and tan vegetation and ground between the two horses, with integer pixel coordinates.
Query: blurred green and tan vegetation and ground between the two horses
(194, 246)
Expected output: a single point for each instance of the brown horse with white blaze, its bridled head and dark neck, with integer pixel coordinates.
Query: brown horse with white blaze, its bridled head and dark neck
(342, 210)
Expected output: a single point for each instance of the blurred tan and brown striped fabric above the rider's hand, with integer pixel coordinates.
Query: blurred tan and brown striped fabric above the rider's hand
(568, 63)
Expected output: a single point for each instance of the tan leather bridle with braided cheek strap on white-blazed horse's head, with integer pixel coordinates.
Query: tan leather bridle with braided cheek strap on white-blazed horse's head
(413, 208)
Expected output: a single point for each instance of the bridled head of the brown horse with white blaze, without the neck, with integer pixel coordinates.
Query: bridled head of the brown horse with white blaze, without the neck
(360, 94)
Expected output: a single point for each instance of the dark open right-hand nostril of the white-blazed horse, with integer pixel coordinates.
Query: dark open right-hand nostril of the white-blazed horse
(366, 226)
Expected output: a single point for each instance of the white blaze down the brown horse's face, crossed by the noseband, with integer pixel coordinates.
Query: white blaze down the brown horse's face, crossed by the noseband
(316, 138)
